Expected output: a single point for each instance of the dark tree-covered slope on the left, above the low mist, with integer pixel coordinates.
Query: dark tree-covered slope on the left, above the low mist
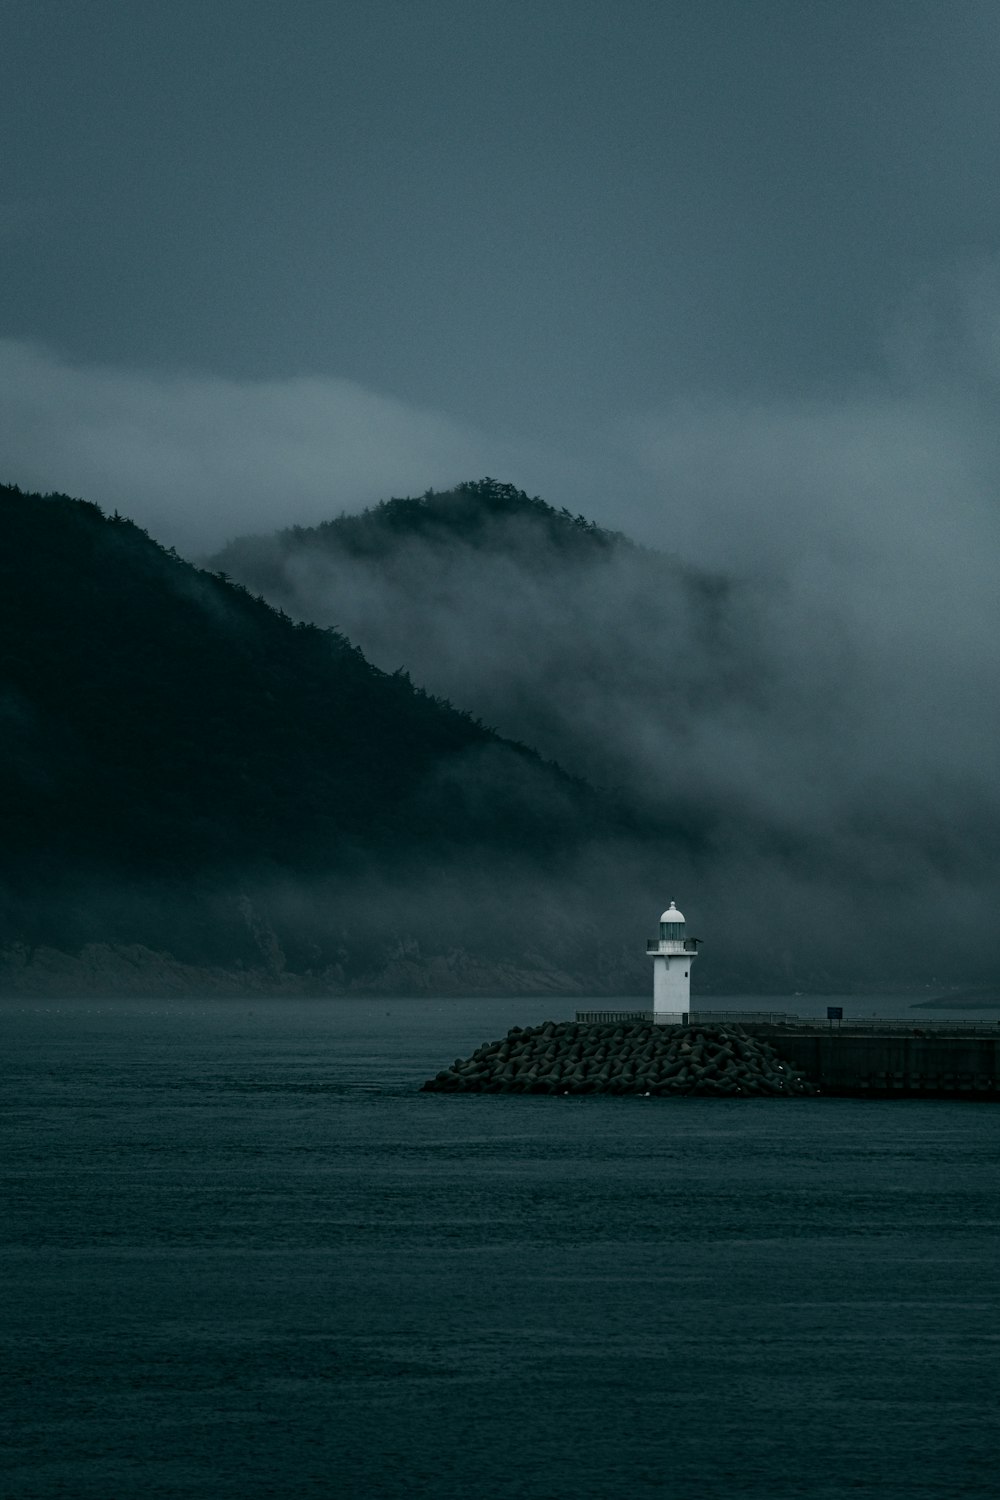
(164, 721)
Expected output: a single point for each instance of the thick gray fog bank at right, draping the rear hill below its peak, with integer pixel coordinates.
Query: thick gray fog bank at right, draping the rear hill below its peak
(831, 709)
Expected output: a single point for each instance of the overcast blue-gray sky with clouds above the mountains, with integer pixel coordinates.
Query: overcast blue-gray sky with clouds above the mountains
(686, 265)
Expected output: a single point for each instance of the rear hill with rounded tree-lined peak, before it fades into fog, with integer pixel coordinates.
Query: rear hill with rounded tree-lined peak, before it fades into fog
(543, 623)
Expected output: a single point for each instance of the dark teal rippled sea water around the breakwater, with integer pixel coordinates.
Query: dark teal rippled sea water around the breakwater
(244, 1256)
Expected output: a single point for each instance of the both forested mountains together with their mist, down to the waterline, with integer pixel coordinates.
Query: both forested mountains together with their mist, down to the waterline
(199, 790)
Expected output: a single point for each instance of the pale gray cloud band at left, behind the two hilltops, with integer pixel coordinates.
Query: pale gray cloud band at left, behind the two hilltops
(197, 458)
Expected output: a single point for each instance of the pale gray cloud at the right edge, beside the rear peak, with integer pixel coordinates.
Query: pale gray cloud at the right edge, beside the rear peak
(873, 521)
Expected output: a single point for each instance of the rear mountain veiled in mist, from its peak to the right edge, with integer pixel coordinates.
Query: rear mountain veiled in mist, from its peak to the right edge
(839, 778)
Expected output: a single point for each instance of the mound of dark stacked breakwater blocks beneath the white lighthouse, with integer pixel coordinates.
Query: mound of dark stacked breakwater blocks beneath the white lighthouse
(629, 1058)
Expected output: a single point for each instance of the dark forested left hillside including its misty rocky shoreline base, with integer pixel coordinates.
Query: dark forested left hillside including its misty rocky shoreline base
(185, 769)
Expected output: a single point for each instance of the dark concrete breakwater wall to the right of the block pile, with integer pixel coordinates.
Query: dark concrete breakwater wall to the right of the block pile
(893, 1064)
